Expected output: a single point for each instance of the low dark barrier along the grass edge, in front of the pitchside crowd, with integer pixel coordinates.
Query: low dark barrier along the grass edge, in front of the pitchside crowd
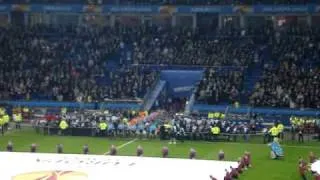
(257, 137)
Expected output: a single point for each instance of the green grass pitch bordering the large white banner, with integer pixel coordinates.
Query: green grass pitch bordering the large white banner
(263, 168)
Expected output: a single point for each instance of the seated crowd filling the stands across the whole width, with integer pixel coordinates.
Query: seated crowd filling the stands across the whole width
(70, 63)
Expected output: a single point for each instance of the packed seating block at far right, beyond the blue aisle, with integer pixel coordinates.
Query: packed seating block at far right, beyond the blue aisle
(291, 78)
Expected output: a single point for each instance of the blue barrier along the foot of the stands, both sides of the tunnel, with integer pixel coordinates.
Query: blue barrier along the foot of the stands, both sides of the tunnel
(137, 105)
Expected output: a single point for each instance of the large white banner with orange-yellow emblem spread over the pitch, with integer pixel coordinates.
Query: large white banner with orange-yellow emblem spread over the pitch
(42, 166)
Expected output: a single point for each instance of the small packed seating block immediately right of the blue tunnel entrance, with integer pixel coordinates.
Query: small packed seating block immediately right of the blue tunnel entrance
(217, 87)
